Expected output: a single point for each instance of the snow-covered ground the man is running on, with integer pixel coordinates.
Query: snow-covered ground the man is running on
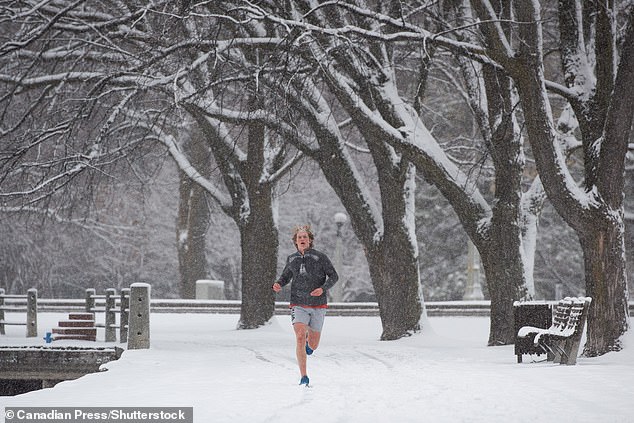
(445, 374)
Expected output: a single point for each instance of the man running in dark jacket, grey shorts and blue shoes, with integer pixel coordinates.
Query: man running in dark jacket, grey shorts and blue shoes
(312, 274)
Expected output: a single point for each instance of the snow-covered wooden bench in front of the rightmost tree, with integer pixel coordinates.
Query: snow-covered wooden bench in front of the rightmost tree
(562, 339)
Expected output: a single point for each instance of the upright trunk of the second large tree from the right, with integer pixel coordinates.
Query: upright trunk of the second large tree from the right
(504, 265)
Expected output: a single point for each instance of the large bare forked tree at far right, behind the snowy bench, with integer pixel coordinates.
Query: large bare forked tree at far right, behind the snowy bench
(595, 210)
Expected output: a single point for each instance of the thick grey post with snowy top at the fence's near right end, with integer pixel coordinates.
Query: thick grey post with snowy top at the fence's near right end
(139, 325)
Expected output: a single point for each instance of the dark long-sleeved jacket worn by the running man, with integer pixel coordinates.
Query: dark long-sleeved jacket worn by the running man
(308, 272)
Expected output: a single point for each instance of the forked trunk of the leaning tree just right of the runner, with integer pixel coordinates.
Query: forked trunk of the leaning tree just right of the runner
(393, 259)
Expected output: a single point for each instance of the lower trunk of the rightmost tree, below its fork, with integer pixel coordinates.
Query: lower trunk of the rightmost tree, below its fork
(606, 284)
